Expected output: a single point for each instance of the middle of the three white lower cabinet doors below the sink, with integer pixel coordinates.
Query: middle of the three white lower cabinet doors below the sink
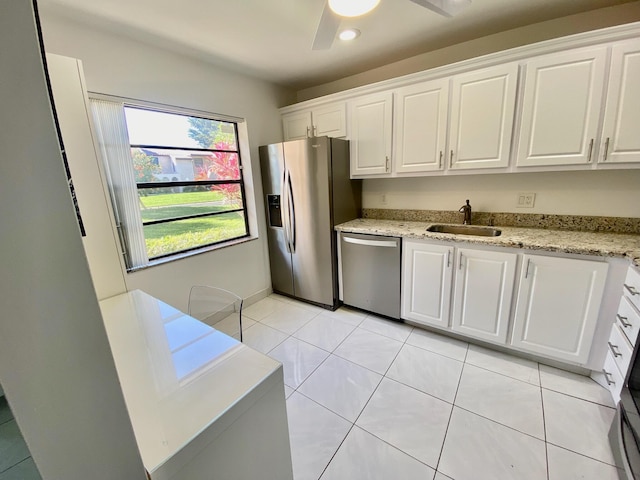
(482, 294)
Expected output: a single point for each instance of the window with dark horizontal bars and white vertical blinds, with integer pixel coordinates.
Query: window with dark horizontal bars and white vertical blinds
(176, 179)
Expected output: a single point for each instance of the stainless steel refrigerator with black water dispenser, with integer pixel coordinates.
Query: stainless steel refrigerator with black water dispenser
(307, 192)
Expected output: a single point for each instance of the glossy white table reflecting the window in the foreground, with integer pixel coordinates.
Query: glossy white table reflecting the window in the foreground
(202, 405)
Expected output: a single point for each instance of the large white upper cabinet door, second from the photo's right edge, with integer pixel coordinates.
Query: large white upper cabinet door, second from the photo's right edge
(561, 108)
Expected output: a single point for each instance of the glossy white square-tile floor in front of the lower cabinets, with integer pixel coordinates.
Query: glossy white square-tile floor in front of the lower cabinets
(369, 398)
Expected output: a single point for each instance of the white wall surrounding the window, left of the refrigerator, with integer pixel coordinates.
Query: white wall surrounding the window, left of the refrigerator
(119, 66)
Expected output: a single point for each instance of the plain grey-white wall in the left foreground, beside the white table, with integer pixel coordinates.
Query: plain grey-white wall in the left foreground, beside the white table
(55, 362)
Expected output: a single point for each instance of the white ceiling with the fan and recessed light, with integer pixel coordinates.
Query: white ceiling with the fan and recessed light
(272, 39)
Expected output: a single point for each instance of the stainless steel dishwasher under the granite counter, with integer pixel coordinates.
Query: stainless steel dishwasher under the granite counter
(371, 273)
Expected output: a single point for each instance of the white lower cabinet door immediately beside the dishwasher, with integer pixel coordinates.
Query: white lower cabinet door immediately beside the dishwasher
(426, 283)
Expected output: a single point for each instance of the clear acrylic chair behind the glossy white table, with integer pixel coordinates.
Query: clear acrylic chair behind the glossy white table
(217, 308)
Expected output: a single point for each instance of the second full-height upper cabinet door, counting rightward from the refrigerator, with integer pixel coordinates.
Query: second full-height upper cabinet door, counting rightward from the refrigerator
(421, 126)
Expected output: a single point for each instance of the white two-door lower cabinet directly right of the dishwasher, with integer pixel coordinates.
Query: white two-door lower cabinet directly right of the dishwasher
(481, 291)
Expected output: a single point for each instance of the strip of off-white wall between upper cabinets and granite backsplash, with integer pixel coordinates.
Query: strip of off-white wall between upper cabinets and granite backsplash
(610, 193)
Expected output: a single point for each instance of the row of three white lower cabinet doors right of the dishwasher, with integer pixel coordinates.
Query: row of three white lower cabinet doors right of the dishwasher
(470, 291)
